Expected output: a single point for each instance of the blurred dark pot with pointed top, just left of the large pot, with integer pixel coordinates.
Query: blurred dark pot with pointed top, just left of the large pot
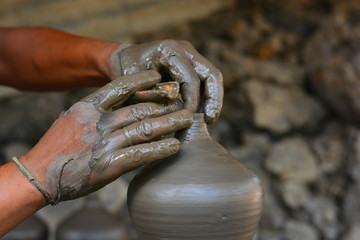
(92, 223)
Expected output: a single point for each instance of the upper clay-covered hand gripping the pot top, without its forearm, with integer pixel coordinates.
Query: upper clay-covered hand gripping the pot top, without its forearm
(184, 64)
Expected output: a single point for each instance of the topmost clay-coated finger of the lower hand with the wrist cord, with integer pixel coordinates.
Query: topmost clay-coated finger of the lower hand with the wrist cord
(119, 90)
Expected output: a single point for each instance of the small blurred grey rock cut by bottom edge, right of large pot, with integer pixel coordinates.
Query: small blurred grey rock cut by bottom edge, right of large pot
(297, 230)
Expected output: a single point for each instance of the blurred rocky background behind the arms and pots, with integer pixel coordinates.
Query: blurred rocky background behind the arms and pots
(292, 98)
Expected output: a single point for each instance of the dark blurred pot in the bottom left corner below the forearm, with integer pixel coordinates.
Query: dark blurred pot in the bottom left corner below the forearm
(32, 228)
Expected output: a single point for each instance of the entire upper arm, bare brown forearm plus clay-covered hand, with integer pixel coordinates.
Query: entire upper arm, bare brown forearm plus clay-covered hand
(46, 59)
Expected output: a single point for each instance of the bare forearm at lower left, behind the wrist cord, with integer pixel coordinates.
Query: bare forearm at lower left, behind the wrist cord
(18, 198)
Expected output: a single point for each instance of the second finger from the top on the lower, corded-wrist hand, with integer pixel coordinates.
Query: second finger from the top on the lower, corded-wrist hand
(133, 113)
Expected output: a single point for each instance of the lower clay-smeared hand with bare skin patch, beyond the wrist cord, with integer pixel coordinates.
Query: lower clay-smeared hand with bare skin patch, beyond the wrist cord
(90, 145)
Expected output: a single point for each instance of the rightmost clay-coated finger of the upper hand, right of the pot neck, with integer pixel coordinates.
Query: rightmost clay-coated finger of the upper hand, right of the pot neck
(207, 72)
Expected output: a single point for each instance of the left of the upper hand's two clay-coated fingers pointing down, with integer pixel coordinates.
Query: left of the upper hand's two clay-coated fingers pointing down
(181, 70)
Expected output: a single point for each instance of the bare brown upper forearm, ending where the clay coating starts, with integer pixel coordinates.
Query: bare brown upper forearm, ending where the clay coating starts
(46, 59)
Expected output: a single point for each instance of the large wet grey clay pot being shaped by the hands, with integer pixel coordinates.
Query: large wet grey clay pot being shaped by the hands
(202, 192)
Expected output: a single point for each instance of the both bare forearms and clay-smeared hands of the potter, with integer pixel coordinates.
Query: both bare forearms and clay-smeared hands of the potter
(90, 145)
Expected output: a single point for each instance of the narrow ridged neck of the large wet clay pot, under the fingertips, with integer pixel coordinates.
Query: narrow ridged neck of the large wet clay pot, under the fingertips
(198, 129)
